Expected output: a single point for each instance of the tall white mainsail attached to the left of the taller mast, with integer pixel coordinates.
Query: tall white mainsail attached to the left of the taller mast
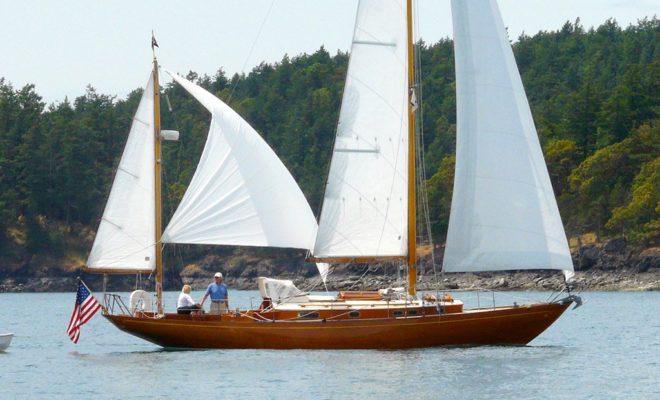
(365, 205)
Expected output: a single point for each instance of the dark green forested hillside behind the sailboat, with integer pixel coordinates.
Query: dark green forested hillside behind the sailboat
(594, 95)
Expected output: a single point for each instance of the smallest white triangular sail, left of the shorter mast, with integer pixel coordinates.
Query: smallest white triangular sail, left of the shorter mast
(125, 238)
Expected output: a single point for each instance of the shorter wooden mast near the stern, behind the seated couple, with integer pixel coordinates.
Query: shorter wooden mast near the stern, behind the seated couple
(157, 188)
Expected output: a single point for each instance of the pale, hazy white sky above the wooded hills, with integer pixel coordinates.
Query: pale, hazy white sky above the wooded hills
(63, 46)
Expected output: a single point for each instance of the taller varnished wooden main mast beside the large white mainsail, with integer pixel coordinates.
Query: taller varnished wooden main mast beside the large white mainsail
(412, 221)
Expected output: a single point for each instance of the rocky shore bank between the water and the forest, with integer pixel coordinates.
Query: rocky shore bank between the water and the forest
(610, 266)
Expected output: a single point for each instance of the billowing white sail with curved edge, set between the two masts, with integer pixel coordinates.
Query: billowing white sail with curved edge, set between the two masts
(241, 193)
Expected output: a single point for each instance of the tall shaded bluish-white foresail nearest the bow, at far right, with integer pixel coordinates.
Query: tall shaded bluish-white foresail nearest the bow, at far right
(504, 214)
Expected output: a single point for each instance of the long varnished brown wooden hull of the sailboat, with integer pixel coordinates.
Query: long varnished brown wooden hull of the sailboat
(498, 326)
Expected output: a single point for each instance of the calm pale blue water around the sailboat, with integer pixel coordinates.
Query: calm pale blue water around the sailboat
(607, 349)
